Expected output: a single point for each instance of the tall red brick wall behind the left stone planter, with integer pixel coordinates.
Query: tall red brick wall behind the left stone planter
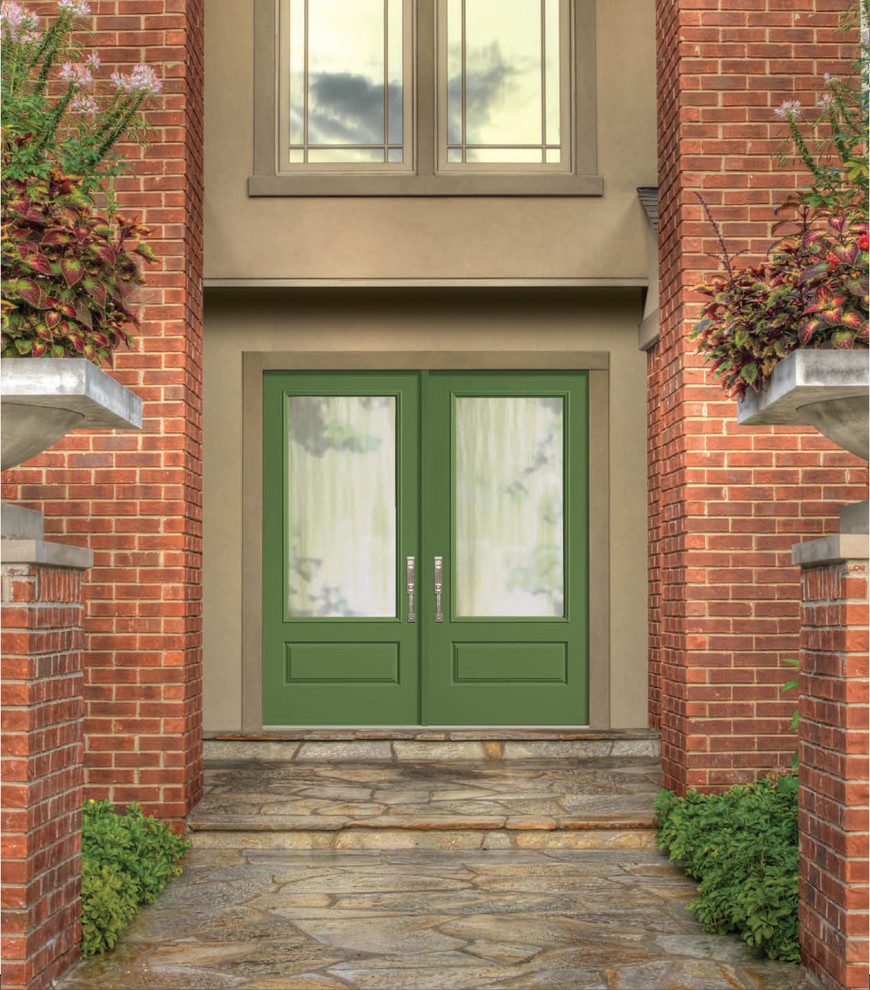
(135, 499)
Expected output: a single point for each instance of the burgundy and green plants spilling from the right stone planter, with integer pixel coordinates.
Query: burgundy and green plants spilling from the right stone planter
(811, 290)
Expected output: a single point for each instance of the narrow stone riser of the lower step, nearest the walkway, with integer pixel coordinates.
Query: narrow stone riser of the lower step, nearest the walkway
(349, 839)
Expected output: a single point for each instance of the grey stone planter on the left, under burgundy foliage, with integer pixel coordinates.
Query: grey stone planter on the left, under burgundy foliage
(45, 398)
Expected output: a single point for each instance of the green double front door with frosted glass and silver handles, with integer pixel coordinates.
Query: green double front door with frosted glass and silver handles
(425, 548)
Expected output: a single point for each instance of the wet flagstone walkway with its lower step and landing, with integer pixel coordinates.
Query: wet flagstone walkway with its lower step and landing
(469, 874)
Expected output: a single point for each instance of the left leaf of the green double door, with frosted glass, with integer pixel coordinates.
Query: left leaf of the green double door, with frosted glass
(325, 661)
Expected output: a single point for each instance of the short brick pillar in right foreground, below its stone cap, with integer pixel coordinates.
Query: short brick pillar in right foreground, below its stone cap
(835, 750)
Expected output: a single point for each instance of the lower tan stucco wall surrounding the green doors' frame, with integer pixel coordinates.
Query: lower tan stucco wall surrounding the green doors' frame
(351, 320)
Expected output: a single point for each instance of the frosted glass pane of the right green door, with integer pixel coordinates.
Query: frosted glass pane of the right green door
(509, 497)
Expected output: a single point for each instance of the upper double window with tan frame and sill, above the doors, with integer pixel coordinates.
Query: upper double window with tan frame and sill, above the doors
(433, 97)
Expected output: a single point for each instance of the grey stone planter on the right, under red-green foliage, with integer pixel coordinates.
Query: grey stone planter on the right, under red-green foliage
(826, 389)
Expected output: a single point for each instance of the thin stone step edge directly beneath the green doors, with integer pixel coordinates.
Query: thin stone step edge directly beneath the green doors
(389, 750)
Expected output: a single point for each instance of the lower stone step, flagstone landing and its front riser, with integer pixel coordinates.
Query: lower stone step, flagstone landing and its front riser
(598, 802)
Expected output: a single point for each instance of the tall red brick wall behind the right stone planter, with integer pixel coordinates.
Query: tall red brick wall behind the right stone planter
(727, 502)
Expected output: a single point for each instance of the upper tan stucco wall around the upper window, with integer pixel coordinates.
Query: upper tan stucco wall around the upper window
(600, 238)
